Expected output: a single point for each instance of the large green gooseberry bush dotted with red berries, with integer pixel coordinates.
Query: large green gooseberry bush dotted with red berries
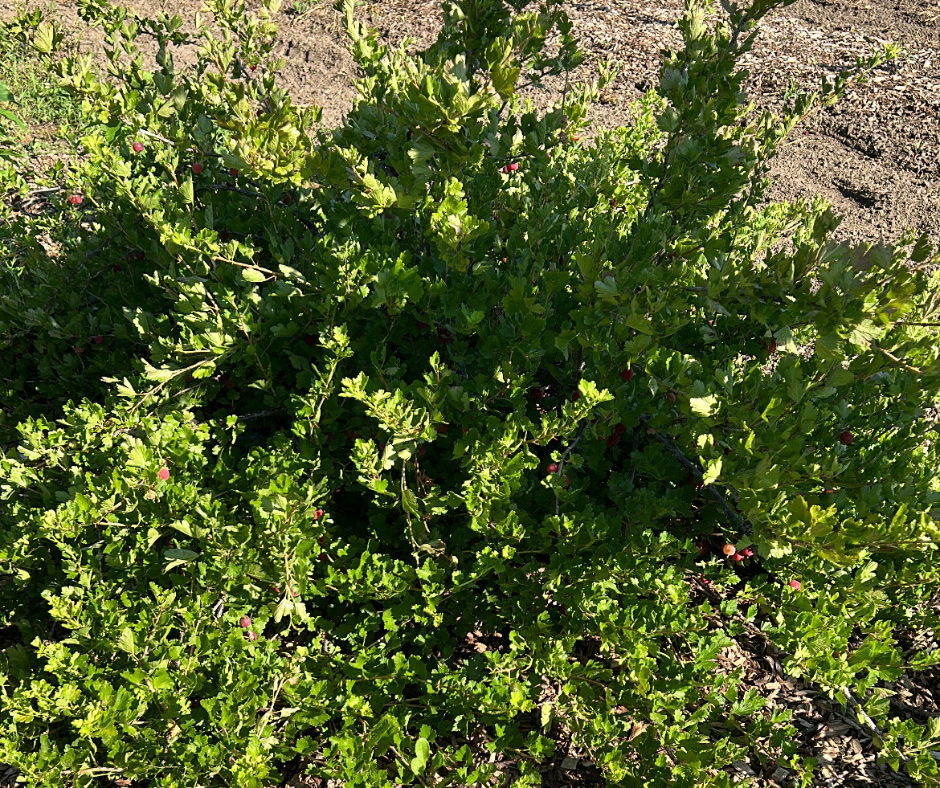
(399, 452)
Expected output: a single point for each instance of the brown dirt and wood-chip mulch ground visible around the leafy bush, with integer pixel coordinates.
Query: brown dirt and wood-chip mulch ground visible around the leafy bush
(875, 157)
